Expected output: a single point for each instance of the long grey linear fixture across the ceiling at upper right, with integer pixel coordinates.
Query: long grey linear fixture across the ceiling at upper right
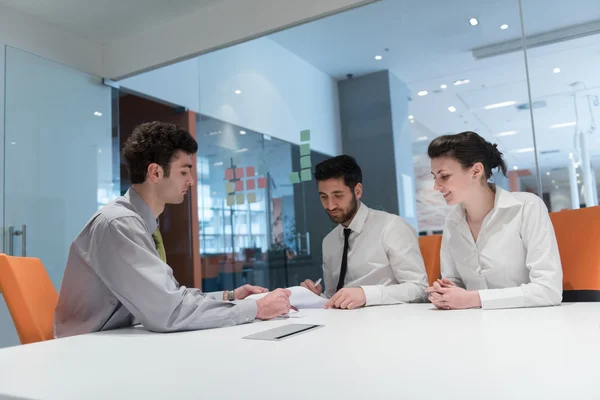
(538, 40)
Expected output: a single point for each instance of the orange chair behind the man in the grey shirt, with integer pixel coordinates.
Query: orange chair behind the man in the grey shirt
(30, 297)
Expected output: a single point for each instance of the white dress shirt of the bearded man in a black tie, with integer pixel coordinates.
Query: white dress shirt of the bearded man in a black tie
(383, 258)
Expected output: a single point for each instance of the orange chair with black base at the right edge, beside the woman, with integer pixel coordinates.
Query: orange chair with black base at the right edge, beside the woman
(578, 237)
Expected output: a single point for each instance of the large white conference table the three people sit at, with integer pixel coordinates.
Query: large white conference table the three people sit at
(408, 351)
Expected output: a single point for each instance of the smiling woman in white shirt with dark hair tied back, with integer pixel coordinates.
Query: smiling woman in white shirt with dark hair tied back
(498, 248)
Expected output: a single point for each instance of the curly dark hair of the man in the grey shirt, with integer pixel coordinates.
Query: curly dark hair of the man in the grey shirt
(155, 142)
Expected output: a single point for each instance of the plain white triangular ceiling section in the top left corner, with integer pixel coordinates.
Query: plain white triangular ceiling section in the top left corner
(107, 20)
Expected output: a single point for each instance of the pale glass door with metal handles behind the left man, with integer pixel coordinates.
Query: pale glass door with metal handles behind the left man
(58, 163)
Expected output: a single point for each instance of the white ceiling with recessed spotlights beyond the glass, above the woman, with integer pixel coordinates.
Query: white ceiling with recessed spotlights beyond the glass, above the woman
(430, 46)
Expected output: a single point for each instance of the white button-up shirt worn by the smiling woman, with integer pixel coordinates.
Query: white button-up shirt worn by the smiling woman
(515, 261)
